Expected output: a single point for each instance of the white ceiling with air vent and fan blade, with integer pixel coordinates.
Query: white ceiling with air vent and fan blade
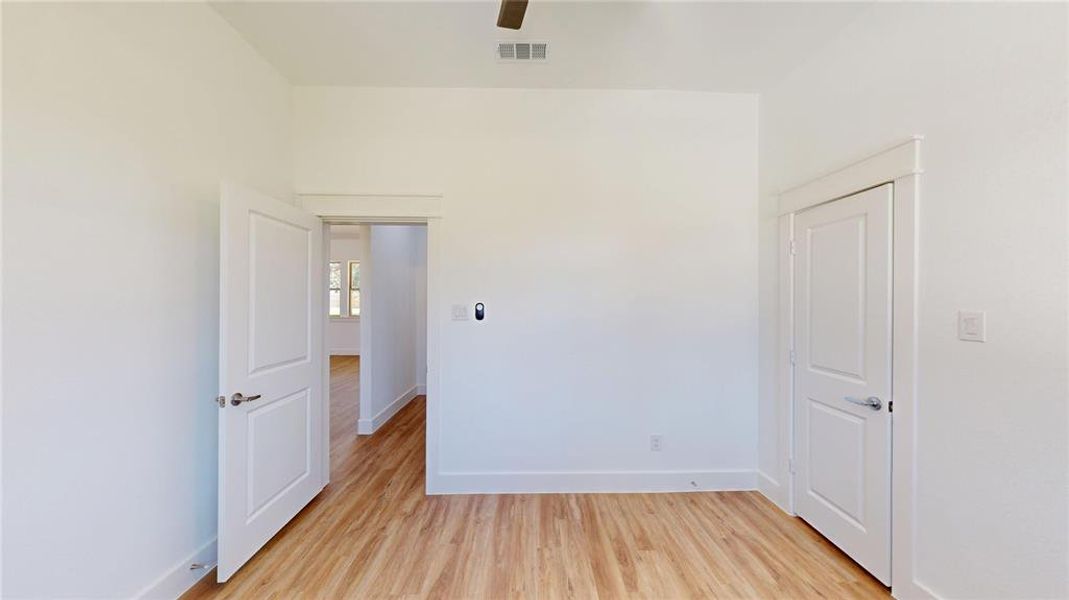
(730, 48)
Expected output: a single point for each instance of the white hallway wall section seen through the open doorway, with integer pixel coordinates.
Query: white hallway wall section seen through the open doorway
(396, 328)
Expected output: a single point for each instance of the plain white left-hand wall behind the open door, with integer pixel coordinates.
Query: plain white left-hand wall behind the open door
(120, 120)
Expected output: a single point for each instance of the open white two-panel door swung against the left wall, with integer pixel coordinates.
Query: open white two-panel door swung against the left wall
(271, 386)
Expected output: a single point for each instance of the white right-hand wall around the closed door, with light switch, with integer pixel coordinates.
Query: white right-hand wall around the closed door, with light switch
(986, 85)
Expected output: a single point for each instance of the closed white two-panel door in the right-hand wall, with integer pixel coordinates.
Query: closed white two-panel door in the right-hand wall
(843, 423)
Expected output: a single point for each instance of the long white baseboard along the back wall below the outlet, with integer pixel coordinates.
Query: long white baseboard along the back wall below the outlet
(622, 482)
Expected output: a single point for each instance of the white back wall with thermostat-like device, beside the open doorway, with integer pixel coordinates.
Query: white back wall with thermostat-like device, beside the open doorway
(613, 237)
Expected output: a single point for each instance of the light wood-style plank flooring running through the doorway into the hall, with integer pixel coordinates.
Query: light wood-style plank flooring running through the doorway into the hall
(374, 534)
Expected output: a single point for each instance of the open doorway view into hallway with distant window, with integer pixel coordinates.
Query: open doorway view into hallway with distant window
(377, 322)
